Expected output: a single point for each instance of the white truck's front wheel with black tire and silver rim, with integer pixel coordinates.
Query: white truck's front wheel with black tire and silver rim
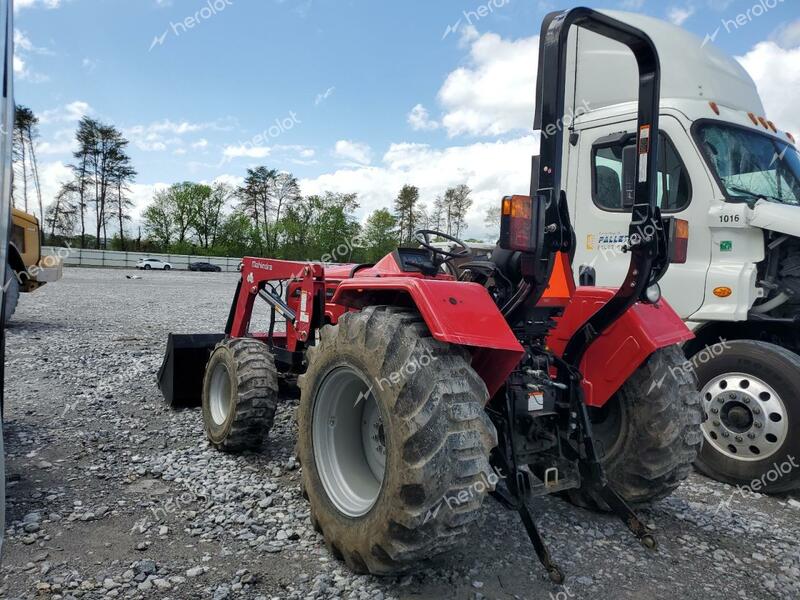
(751, 398)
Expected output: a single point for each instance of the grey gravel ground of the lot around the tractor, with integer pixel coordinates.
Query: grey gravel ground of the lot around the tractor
(113, 495)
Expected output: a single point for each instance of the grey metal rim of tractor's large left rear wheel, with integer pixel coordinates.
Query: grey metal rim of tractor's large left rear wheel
(349, 441)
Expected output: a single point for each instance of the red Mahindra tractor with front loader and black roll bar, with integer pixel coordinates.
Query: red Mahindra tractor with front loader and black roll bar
(423, 392)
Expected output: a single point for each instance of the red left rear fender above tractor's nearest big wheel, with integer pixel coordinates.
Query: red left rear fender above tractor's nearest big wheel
(455, 312)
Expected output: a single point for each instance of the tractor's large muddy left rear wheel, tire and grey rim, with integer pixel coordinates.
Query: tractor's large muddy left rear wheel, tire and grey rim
(393, 439)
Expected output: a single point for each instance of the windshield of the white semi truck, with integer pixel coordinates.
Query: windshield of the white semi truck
(751, 166)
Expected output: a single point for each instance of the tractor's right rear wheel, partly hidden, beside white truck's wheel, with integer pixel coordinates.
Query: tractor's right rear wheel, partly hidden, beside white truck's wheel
(648, 433)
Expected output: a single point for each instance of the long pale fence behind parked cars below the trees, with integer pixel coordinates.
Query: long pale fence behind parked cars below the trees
(75, 257)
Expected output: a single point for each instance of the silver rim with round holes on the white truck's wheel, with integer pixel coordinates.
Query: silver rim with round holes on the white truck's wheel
(746, 419)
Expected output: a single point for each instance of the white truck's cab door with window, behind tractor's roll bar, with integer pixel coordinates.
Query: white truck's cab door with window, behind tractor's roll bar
(601, 220)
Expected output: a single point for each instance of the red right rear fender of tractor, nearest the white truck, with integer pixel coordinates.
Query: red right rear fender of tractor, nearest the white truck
(620, 351)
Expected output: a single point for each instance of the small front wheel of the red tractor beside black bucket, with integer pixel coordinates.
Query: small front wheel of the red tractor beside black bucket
(240, 394)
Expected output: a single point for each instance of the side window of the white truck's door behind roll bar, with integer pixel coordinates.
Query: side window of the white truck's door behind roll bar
(674, 188)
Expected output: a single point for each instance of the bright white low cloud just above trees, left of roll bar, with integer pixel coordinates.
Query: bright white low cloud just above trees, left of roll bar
(491, 169)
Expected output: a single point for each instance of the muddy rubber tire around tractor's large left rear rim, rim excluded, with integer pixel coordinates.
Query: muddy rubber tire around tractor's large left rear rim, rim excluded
(446, 438)
